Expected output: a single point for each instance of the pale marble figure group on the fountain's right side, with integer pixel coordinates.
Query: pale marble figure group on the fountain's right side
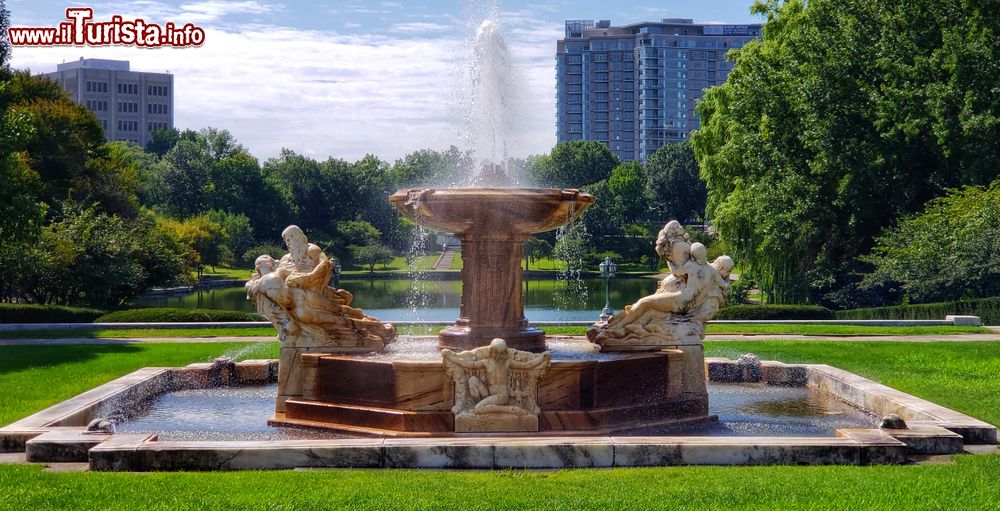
(686, 299)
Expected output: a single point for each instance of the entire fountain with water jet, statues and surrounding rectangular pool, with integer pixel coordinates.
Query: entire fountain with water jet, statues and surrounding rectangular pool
(640, 372)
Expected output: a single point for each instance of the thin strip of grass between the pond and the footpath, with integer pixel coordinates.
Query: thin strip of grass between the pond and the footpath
(719, 328)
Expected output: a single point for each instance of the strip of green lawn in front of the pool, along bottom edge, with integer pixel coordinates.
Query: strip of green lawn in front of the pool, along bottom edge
(967, 484)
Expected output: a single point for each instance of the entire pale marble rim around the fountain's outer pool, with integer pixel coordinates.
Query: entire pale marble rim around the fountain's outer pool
(56, 433)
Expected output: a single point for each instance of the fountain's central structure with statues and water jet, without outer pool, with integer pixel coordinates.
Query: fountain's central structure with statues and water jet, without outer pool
(490, 371)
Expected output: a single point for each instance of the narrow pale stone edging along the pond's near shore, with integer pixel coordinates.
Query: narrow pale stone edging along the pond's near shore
(18, 327)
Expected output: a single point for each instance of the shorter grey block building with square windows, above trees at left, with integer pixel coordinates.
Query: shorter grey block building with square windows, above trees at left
(129, 105)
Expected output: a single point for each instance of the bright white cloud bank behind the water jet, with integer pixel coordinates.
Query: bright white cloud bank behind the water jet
(327, 94)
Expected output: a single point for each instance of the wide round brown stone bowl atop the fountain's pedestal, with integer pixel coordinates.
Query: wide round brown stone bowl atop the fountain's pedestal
(492, 210)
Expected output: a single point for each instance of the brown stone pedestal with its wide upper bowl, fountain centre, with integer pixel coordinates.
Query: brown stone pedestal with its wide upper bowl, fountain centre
(492, 224)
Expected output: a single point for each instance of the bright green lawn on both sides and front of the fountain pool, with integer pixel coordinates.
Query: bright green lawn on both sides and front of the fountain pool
(965, 376)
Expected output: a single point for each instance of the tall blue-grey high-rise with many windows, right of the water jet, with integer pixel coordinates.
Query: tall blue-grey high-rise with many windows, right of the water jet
(634, 87)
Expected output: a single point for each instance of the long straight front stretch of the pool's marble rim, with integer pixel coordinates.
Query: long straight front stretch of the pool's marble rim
(143, 453)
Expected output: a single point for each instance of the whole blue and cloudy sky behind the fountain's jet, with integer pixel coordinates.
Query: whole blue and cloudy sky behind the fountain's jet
(345, 79)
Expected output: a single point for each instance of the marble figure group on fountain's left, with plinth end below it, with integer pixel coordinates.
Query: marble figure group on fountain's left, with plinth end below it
(294, 294)
